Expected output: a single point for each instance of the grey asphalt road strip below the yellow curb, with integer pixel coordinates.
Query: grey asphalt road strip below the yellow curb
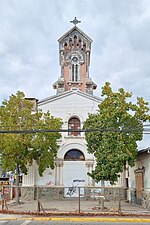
(30, 222)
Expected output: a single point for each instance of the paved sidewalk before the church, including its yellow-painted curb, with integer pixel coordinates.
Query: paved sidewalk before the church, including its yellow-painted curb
(67, 210)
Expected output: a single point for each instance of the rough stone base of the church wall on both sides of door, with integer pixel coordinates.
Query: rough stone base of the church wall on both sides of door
(57, 193)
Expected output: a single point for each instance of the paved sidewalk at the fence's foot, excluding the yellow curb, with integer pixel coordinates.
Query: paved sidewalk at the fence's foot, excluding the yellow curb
(72, 207)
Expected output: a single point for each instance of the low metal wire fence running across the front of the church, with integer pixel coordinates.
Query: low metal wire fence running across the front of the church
(77, 200)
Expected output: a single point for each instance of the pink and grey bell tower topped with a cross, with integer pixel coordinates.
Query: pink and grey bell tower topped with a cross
(74, 59)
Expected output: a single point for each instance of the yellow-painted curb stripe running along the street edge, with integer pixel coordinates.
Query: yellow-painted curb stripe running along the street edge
(79, 219)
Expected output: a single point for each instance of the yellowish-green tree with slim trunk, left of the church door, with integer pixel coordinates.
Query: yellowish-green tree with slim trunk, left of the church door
(20, 149)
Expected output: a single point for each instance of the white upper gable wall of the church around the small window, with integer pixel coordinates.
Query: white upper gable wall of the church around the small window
(69, 105)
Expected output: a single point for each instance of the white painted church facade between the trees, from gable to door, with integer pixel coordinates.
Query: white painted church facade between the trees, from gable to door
(65, 106)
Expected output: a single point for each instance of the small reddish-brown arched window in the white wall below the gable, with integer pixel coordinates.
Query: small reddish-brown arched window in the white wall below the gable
(74, 124)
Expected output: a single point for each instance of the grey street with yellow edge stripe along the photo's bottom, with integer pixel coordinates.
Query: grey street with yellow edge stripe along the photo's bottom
(24, 220)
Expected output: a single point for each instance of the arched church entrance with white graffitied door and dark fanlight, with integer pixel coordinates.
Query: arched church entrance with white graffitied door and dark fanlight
(74, 172)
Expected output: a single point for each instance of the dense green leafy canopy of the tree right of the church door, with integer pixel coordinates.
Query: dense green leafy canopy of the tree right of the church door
(120, 124)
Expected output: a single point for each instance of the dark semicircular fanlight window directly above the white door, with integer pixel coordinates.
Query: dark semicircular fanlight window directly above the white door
(74, 155)
